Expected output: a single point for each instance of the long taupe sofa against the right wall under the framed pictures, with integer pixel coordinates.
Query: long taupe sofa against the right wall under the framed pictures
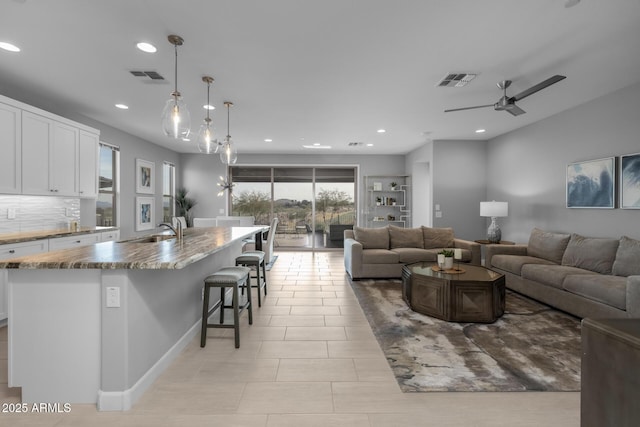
(584, 276)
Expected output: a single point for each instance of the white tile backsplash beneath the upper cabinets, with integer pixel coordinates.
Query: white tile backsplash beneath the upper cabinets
(34, 213)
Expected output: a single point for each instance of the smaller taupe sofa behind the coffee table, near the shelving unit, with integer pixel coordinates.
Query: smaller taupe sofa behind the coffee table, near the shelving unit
(381, 252)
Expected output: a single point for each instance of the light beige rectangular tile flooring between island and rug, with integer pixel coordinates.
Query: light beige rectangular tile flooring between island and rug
(309, 359)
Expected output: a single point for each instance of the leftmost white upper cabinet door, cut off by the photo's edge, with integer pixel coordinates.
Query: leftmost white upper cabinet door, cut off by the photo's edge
(10, 147)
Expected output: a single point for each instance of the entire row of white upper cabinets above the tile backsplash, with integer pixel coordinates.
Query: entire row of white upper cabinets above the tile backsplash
(58, 157)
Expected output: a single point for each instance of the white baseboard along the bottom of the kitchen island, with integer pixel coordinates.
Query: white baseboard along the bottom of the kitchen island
(124, 400)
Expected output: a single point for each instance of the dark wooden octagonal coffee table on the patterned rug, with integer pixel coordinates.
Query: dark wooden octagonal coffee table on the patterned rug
(475, 295)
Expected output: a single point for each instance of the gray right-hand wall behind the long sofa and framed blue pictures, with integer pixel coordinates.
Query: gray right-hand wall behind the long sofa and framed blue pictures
(527, 167)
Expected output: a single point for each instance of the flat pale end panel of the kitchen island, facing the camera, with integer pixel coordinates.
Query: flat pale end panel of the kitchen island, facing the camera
(54, 335)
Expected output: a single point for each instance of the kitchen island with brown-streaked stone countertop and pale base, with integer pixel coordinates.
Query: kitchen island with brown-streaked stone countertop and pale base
(98, 324)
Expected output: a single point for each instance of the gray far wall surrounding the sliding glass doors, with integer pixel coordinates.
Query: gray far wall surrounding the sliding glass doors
(201, 173)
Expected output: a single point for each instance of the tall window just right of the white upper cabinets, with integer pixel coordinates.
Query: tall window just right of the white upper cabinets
(109, 188)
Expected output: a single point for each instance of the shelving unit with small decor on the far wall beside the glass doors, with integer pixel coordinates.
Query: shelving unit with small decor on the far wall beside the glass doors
(386, 204)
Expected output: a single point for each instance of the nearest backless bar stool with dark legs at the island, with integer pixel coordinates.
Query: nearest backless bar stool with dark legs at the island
(226, 277)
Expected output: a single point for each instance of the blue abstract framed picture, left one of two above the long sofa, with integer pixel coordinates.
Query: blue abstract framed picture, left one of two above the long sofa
(591, 184)
